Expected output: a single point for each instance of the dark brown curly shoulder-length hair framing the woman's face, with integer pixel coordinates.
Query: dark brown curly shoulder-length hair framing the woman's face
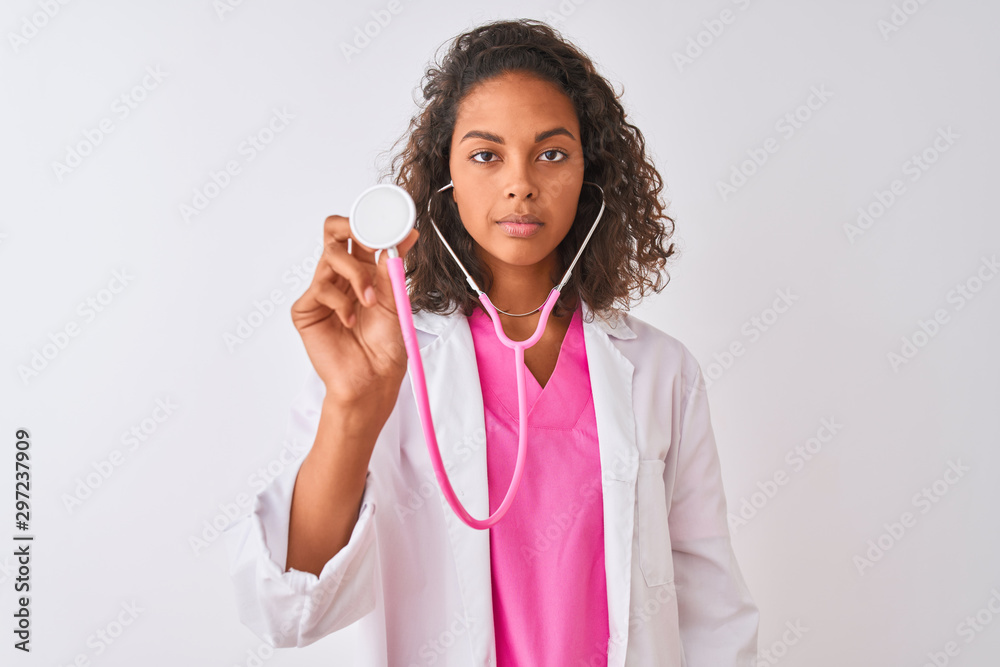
(627, 246)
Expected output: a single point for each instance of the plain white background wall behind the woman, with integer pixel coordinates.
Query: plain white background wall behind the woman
(163, 336)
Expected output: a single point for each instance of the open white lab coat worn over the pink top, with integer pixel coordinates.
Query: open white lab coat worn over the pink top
(417, 580)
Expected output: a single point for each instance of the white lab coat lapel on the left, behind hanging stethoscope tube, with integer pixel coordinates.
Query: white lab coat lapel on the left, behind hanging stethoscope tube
(460, 424)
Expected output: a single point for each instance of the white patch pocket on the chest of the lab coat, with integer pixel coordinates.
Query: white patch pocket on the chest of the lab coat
(655, 557)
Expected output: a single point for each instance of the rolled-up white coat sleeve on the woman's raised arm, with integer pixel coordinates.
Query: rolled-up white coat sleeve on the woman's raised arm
(296, 608)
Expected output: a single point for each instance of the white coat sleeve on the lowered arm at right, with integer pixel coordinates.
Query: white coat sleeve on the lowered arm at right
(717, 616)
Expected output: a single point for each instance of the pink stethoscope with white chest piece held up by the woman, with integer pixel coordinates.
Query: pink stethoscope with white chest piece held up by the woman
(381, 217)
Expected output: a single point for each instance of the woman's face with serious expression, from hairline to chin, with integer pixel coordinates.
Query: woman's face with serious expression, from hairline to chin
(516, 150)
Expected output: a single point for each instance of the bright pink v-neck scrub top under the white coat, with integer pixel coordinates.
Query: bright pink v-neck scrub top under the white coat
(550, 602)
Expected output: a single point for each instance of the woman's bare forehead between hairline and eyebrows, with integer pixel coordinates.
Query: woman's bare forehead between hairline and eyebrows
(515, 103)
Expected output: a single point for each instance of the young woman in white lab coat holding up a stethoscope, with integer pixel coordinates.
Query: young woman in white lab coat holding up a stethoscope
(616, 549)
